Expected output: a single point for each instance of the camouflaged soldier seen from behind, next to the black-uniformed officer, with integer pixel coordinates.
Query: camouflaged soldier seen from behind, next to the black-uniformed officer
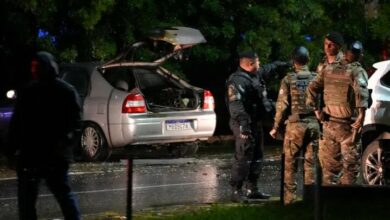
(302, 127)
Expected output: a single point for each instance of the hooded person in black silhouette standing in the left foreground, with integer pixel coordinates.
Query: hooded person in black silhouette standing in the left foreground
(42, 133)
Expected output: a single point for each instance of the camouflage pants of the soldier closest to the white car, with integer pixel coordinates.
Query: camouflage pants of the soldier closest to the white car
(338, 154)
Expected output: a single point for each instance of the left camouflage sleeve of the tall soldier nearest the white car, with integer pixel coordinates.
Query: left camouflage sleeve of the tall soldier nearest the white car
(314, 90)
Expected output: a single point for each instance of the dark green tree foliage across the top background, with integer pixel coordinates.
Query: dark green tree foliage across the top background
(100, 29)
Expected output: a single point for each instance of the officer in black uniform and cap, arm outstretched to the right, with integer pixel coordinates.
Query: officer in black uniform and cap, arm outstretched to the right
(247, 100)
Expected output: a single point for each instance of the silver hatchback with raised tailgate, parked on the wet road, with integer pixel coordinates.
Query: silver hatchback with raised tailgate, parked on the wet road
(129, 103)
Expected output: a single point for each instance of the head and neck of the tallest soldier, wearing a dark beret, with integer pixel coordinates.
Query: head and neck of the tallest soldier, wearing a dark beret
(332, 48)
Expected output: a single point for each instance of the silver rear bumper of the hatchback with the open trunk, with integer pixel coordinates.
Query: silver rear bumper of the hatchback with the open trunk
(143, 129)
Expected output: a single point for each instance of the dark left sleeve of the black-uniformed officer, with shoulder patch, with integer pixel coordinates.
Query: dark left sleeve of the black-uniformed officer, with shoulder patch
(236, 106)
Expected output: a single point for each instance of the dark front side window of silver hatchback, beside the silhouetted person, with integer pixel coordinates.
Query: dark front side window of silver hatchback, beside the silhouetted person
(77, 77)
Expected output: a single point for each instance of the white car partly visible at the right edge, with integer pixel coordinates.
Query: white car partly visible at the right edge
(376, 128)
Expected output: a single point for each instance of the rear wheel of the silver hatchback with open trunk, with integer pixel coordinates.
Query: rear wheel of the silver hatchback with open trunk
(93, 143)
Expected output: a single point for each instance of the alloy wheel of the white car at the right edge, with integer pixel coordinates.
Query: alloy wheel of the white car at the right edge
(372, 167)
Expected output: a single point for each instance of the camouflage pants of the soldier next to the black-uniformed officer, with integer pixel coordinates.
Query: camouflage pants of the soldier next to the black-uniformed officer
(300, 137)
